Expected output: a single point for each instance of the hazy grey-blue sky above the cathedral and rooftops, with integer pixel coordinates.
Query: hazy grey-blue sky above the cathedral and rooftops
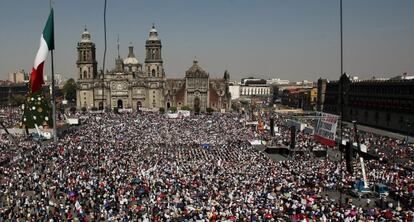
(287, 39)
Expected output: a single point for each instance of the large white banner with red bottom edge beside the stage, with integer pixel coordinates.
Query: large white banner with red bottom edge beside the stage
(325, 131)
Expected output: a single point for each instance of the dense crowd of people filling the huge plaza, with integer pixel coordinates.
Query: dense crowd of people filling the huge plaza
(147, 167)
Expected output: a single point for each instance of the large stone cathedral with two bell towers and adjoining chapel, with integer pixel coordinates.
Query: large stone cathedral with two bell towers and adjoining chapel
(133, 85)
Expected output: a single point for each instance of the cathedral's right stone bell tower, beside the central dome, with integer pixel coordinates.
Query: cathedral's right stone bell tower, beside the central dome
(153, 60)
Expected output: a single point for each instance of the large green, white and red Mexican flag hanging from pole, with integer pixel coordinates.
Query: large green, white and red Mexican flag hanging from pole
(47, 43)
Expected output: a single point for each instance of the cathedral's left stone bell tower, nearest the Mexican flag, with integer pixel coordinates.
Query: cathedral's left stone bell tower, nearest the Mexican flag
(86, 63)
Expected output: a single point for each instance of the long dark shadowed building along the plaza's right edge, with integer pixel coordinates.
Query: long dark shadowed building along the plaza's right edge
(386, 104)
